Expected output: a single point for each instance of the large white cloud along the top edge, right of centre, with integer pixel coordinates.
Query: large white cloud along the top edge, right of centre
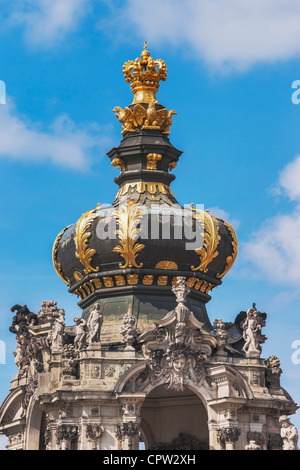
(224, 33)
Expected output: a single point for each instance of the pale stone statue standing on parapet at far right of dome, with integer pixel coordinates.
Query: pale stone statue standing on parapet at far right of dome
(255, 320)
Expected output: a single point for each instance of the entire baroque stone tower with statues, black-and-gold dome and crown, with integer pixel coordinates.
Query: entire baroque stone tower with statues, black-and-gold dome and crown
(144, 362)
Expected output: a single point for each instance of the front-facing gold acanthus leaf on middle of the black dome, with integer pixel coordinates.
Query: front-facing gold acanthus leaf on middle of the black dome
(128, 217)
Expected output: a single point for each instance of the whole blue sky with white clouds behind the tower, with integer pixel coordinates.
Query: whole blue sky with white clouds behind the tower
(231, 65)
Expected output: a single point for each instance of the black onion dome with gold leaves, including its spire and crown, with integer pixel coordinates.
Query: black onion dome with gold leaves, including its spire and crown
(139, 244)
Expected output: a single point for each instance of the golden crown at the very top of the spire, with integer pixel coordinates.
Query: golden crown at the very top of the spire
(144, 74)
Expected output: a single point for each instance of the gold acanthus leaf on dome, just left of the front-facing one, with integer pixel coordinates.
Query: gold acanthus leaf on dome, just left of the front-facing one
(83, 253)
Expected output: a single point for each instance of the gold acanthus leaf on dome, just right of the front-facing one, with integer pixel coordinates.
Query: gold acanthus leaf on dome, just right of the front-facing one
(211, 239)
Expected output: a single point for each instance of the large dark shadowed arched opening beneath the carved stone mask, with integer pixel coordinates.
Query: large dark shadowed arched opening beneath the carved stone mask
(174, 421)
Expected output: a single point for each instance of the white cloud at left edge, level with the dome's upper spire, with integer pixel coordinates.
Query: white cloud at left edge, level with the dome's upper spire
(63, 143)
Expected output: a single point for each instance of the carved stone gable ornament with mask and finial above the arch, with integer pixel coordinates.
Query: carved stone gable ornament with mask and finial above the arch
(176, 349)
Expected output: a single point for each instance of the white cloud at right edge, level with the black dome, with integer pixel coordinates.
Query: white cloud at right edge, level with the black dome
(275, 248)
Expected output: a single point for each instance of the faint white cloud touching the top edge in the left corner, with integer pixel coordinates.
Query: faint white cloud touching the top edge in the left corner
(46, 22)
